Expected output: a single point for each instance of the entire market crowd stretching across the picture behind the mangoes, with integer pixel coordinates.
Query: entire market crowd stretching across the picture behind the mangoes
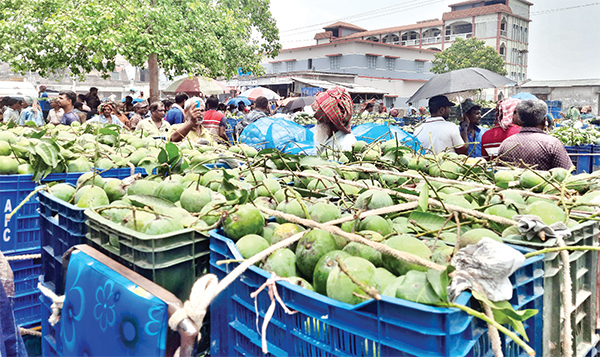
(519, 135)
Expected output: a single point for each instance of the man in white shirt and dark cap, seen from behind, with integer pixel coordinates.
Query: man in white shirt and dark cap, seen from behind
(435, 133)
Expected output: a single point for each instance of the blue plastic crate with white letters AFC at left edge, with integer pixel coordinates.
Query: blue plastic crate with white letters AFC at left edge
(22, 232)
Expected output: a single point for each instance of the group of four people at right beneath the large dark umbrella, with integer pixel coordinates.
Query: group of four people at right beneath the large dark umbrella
(519, 136)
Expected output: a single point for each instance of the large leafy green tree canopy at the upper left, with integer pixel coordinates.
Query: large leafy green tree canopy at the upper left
(199, 37)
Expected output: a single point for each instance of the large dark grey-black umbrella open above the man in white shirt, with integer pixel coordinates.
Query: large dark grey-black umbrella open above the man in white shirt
(460, 80)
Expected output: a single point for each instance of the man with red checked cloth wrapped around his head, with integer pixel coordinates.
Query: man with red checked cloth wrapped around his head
(333, 111)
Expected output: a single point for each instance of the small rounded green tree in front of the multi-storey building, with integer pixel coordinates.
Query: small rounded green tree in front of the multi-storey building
(468, 53)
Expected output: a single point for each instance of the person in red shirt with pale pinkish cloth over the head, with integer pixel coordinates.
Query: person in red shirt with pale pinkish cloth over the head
(507, 121)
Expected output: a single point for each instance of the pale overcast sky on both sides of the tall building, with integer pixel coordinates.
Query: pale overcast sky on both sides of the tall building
(564, 35)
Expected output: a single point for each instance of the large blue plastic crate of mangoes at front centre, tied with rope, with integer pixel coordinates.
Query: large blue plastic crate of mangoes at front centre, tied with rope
(326, 327)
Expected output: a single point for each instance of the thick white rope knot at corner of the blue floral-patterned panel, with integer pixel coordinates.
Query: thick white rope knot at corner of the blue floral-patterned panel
(203, 291)
